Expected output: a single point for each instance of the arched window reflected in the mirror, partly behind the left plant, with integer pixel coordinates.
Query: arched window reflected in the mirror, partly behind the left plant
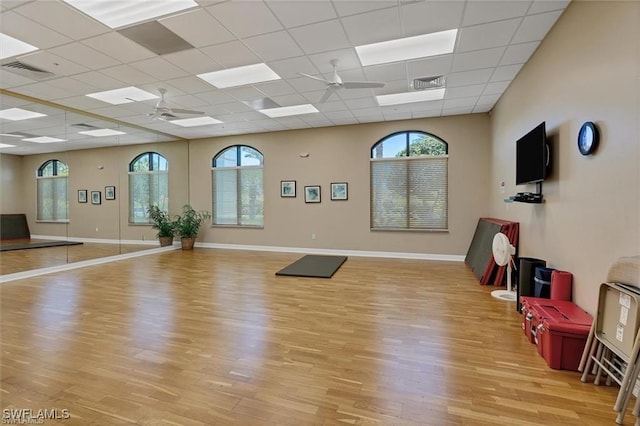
(148, 185)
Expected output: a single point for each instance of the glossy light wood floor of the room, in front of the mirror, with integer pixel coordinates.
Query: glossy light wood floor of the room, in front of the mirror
(213, 337)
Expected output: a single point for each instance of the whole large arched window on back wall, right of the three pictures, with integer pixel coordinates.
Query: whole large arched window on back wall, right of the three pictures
(409, 182)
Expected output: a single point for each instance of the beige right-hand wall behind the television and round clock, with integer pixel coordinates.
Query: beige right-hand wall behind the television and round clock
(587, 69)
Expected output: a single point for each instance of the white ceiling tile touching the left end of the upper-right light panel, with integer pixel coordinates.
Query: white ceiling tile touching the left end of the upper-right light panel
(320, 37)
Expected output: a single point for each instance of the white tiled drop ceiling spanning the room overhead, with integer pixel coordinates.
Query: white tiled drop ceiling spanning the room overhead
(76, 55)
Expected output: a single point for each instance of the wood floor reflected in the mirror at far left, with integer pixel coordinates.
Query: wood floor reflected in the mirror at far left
(26, 260)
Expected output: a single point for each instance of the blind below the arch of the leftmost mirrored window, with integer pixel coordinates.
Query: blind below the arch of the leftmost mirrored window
(53, 202)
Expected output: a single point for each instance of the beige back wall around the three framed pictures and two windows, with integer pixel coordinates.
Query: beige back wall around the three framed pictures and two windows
(341, 154)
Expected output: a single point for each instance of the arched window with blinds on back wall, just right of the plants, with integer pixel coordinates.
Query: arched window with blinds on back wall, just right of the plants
(238, 189)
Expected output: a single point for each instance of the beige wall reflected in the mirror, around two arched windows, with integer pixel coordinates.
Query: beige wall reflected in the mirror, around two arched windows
(93, 170)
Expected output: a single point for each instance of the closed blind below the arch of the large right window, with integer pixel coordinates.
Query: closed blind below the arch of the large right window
(409, 193)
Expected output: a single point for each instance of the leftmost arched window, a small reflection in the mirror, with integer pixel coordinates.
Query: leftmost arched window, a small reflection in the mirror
(52, 198)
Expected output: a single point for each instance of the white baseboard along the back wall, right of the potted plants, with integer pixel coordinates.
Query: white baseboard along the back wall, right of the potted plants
(336, 252)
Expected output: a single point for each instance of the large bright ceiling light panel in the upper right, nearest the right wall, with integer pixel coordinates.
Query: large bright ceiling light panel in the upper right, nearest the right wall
(421, 46)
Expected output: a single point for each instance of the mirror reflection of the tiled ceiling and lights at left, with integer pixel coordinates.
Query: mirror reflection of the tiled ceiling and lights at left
(24, 136)
